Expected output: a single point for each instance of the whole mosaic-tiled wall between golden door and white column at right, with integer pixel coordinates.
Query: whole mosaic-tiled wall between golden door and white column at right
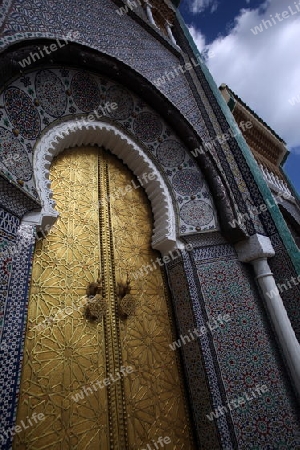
(237, 356)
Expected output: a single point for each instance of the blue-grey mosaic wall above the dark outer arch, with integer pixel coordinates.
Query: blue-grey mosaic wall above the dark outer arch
(145, 52)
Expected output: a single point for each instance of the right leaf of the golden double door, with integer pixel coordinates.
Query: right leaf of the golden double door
(154, 399)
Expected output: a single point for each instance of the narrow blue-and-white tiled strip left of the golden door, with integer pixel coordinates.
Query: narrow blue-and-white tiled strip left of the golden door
(12, 333)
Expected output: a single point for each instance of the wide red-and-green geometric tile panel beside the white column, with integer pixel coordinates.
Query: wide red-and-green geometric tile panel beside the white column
(244, 350)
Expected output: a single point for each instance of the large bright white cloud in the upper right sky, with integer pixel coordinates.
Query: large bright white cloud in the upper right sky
(263, 69)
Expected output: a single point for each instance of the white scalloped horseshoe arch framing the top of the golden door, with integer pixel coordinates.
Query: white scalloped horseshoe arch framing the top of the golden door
(84, 132)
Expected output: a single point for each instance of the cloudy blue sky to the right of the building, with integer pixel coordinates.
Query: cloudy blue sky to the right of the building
(262, 68)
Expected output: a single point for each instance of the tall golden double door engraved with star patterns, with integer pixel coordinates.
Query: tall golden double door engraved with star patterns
(115, 383)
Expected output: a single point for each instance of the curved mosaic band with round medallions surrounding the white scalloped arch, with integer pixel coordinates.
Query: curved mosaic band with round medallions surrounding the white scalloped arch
(48, 96)
